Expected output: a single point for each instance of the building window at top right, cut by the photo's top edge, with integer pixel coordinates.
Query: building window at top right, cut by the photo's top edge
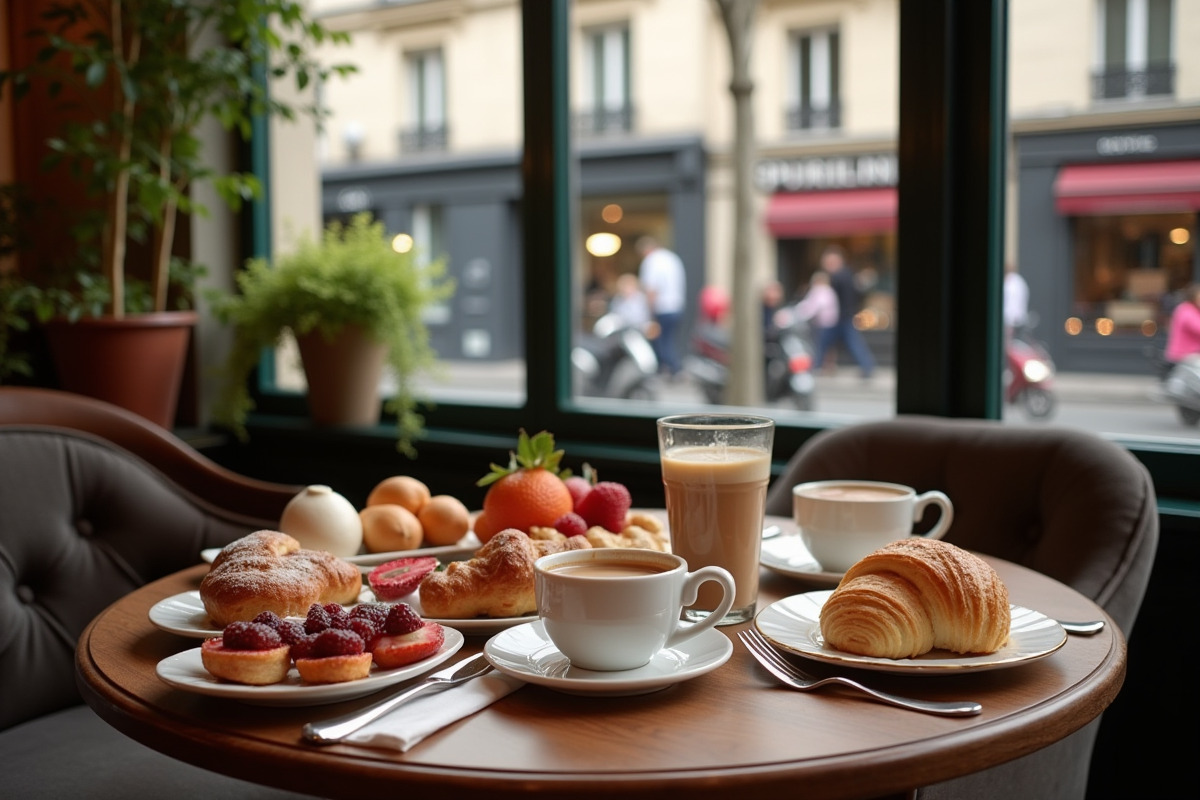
(1133, 50)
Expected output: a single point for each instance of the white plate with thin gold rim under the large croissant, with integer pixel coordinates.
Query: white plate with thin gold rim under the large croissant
(794, 624)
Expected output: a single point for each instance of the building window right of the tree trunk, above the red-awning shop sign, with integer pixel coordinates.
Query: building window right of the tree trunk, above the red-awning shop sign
(815, 98)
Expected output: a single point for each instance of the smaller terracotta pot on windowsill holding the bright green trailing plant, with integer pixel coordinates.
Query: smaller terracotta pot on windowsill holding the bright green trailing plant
(344, 377)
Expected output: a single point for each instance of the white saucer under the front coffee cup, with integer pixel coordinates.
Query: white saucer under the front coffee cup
(529, 654)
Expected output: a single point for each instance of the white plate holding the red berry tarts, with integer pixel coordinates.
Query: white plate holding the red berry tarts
(185, 671)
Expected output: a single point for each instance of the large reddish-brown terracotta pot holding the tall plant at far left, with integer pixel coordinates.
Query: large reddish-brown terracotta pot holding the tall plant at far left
(136, 363)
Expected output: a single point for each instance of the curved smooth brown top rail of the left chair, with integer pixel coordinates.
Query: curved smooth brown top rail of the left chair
(155, 446)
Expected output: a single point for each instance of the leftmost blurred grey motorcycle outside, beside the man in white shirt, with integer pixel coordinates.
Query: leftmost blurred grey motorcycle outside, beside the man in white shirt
(616, 360)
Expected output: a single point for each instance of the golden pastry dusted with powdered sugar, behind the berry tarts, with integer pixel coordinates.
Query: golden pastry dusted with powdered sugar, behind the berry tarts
(269, 572)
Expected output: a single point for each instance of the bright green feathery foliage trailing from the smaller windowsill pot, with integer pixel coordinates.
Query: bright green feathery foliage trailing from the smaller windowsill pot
(351, 276)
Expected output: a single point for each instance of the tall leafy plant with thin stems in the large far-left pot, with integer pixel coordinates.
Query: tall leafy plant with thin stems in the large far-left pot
(133, 82)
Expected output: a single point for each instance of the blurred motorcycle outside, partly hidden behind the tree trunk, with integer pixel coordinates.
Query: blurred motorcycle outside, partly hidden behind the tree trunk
(788, 365)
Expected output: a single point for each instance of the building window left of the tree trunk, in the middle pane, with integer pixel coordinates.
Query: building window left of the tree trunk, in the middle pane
(607, 103)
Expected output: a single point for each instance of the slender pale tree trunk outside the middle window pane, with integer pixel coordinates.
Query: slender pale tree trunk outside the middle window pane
(746, 384)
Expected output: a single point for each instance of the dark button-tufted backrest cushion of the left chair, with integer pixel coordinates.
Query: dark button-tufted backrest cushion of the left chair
(83, 522)
